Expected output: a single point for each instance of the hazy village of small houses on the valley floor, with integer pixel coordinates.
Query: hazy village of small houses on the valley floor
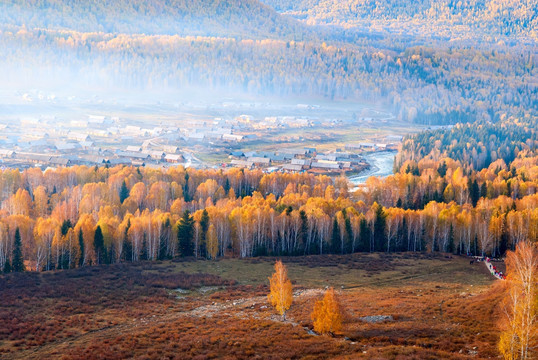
(97, 140)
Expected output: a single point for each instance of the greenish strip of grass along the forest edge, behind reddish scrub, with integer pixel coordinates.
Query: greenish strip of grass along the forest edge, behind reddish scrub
(358, 270)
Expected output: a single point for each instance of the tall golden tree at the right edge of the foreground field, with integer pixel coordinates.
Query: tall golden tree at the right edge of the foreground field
(519, 338)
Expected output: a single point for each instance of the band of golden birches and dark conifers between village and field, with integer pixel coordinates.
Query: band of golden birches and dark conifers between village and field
(469, 196)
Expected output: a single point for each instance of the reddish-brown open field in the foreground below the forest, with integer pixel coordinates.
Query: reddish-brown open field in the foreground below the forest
(441, 307)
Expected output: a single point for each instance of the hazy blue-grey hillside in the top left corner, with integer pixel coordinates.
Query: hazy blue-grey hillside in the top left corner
(182, 17)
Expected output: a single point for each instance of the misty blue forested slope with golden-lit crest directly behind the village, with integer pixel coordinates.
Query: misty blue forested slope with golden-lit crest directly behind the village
(423, 85)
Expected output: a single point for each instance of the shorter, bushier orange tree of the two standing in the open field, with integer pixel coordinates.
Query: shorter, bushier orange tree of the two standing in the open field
(327, 315)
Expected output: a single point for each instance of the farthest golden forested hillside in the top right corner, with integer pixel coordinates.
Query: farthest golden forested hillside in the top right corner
(435, 17)
